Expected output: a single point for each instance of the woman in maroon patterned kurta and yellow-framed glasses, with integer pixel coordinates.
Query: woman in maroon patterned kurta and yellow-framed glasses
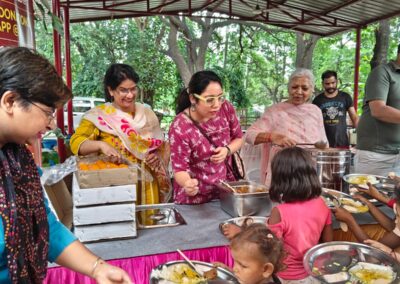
(198, 165)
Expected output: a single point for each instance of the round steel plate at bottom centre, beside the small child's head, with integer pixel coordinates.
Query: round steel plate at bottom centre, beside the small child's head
(223, 275)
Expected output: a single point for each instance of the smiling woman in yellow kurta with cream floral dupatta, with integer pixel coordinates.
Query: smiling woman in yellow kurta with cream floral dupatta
(125, 128)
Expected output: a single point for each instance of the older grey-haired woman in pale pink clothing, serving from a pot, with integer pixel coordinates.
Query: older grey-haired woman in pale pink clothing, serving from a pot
(288, 123)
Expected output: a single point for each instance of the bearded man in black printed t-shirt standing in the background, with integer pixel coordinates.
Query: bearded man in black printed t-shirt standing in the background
(334, 105)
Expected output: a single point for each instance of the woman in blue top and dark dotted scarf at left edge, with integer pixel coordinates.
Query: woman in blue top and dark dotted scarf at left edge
(30, 234)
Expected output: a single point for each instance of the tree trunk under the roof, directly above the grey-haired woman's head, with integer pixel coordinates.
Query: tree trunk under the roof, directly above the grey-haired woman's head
(305, 49)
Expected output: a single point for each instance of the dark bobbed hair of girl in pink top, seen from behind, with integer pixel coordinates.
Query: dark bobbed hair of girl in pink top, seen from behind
(294, 177)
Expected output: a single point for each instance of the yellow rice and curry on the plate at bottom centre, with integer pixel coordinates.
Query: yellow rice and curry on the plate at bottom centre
(182, 273)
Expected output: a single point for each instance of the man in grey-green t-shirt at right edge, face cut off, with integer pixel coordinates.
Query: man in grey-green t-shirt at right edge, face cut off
(378, 131)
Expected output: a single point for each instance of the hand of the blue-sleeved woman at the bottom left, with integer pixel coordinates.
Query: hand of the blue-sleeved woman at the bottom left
(109, 274)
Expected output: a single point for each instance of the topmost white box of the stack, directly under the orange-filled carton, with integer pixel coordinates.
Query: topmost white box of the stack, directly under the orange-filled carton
(102, 195)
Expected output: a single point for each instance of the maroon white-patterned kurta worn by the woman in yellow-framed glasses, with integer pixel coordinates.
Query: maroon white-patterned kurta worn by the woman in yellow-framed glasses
(191, 152)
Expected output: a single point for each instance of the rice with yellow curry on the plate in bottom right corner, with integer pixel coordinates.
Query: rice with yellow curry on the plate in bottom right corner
(368, 273)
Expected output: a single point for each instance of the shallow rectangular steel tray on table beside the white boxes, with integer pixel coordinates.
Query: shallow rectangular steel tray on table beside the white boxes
(158, 215)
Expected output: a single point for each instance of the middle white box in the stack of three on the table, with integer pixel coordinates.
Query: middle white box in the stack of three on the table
(103, 214)
